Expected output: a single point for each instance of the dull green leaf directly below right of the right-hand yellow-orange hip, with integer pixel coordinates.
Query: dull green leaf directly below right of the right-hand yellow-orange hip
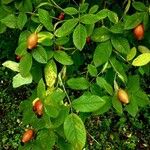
(132, 107)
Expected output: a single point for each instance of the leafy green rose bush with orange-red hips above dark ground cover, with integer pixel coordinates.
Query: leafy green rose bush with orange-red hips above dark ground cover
(79, 54)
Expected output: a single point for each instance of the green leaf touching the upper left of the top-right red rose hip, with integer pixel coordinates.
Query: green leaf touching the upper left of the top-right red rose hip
(133, 20)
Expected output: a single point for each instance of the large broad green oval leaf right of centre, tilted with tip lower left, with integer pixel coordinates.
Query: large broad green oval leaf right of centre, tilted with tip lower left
(102, 53)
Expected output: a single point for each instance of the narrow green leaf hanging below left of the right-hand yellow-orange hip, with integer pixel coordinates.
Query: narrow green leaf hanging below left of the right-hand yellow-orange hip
(117, 104)
